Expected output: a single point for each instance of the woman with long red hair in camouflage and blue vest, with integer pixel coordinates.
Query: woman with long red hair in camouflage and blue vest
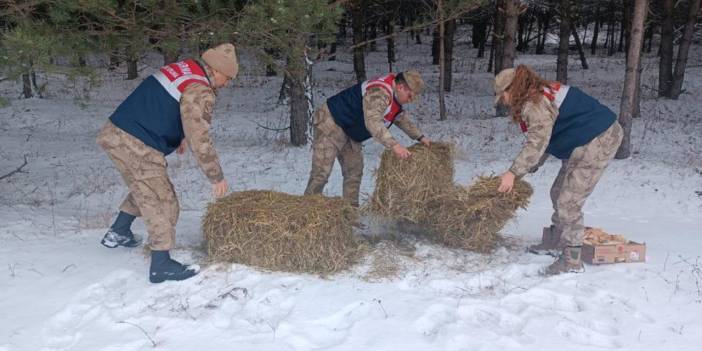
(565, 122)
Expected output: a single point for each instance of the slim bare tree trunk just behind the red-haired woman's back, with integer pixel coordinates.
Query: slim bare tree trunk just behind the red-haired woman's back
(630, 77)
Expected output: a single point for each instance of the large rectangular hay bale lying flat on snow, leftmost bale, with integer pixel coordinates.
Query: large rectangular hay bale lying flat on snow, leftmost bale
(282, 232)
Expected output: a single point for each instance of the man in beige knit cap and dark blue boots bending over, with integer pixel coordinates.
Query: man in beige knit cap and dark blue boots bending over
(168, 110)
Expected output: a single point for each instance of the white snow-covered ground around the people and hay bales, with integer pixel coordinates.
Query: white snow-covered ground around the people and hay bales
(61, 290)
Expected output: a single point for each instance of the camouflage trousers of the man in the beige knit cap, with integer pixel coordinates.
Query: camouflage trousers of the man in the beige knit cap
(151, 194)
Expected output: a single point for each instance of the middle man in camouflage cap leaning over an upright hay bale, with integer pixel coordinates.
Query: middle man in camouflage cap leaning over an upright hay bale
(353, 116)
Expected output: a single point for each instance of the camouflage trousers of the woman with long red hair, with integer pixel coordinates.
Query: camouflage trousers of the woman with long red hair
(577, 179)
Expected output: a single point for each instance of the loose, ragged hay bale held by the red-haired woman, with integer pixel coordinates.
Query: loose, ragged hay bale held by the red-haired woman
(472, 217)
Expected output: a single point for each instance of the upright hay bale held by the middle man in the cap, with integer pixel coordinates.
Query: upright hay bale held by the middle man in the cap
(403, 187)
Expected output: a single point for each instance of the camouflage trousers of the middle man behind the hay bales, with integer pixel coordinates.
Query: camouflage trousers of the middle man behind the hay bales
(330, 144)
